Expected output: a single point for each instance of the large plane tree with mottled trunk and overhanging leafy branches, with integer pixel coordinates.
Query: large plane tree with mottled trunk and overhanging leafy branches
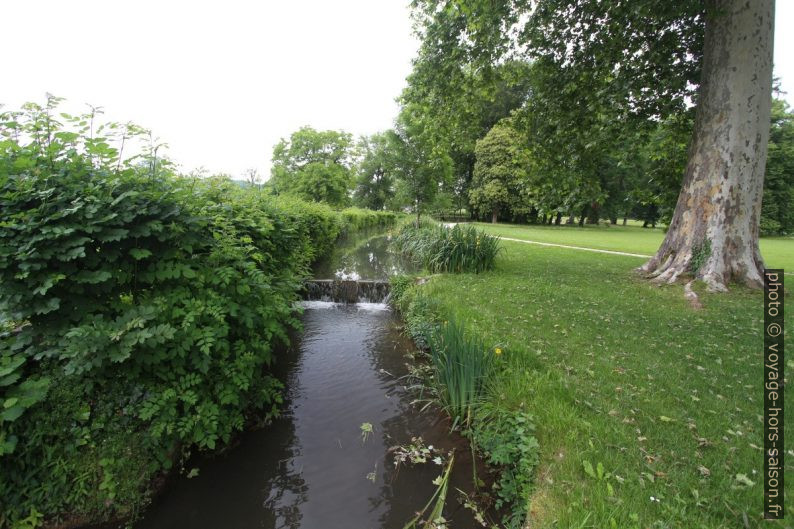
(643, 60)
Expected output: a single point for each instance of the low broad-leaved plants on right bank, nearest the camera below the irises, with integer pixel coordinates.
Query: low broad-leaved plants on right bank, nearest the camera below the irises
(507, 439)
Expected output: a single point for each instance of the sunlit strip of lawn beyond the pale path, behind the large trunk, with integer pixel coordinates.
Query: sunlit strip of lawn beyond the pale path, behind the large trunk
(778, 252)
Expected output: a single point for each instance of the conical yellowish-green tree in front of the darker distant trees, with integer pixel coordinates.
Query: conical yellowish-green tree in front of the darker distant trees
(499, 172)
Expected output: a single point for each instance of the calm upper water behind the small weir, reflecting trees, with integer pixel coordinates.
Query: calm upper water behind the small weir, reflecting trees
(363, 257)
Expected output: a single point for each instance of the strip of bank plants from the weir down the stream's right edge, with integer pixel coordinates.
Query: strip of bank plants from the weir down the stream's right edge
(464, 376)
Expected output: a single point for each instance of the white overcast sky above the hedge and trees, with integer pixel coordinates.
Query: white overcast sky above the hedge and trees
(222, 82)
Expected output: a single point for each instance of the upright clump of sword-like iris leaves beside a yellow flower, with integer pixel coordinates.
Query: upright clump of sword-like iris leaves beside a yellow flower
(460, 367)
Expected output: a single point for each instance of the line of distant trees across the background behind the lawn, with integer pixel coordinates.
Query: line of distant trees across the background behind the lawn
(496, 172)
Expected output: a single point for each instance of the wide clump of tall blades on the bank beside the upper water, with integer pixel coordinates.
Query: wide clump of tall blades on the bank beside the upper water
(441, 249)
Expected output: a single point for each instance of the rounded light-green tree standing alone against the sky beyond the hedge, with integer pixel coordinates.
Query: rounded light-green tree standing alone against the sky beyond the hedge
(314, 165)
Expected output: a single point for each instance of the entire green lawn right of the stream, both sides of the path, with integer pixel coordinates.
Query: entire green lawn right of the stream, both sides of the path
(663, 402)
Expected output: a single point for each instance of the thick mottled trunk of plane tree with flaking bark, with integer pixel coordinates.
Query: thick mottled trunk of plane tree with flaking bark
(720, 200)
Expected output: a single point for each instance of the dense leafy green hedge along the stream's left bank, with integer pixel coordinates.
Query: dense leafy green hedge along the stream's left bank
(139, 313)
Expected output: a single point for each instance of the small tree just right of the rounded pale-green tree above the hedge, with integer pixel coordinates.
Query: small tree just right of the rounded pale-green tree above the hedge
(374, 172)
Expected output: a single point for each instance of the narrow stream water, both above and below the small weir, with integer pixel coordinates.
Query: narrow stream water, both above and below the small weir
(313, 467)
